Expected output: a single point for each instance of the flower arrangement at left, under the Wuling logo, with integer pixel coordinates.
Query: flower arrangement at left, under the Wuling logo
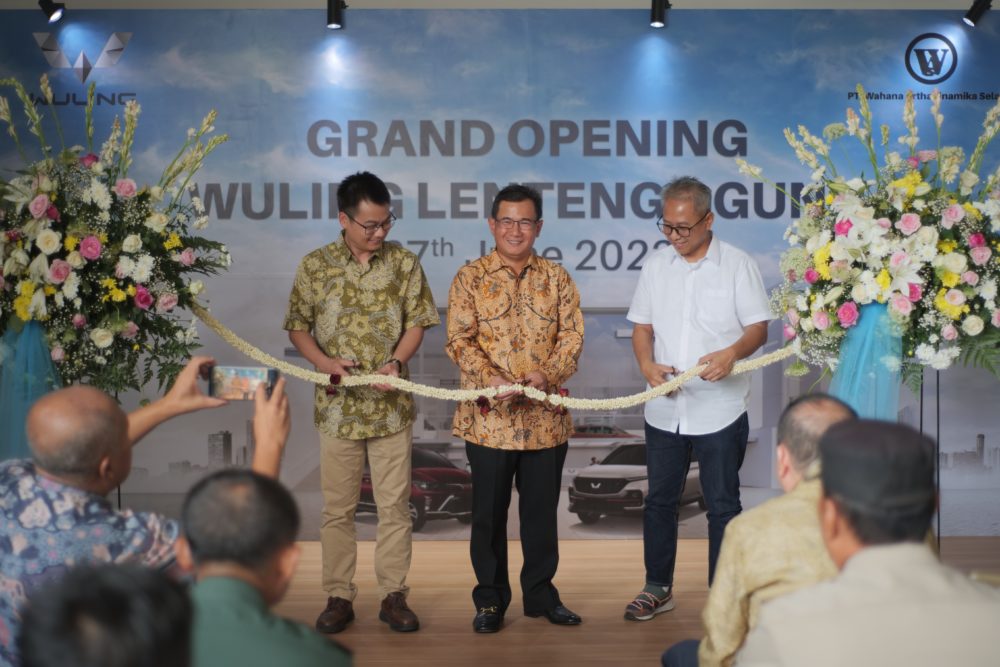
(104, 265)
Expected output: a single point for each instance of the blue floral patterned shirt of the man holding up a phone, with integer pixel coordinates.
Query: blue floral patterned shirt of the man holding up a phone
(47, 527)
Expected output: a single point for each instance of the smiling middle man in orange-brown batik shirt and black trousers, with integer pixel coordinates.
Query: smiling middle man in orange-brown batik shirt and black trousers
(514, 318)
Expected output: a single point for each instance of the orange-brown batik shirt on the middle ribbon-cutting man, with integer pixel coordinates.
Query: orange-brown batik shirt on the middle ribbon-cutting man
(501, 323)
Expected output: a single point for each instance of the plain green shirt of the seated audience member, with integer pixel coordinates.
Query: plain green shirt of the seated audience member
(232, 626)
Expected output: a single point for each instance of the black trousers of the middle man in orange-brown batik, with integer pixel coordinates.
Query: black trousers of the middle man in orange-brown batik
(538, 476)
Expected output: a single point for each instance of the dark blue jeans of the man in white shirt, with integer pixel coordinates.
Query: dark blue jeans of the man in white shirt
(668, 458)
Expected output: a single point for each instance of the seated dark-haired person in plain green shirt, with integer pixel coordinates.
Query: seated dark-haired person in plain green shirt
(239, 532)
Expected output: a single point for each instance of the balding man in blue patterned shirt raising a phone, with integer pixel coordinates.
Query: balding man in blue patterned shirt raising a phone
(53, 509)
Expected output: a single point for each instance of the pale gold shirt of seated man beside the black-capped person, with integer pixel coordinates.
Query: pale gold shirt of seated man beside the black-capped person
(767, 552)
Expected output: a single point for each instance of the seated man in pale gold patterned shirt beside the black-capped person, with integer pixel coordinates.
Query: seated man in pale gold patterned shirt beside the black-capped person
(773, 549)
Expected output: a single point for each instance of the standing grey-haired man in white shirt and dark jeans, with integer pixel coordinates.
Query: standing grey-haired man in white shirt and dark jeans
(699, 301)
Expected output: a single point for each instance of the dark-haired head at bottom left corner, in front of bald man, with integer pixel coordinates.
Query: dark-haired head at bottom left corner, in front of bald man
(107, 616)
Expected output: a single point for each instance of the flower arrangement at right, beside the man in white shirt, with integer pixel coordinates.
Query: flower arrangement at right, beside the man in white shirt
(918, 235)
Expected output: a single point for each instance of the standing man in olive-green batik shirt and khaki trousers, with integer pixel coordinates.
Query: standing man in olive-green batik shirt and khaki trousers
(360, 305)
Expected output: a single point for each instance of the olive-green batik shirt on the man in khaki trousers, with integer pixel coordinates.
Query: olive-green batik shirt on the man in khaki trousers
(359, 312)
